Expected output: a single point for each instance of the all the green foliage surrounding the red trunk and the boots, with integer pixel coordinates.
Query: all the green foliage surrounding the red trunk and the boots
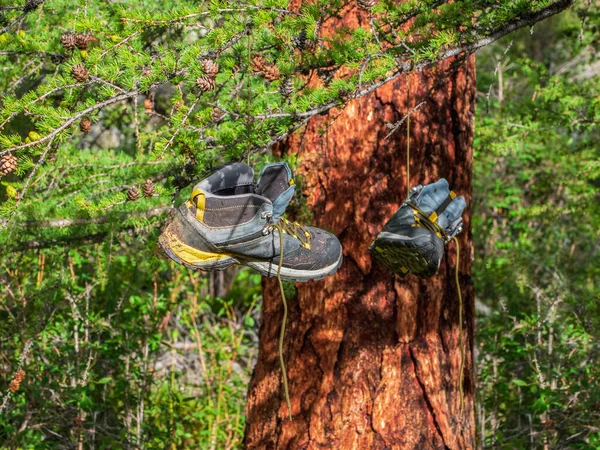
(123, 349)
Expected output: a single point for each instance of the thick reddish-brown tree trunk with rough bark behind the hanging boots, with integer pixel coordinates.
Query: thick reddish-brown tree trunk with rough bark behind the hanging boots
(374, 360)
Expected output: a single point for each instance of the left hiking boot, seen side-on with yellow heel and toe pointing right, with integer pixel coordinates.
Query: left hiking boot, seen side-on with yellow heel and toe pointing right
(231, 220)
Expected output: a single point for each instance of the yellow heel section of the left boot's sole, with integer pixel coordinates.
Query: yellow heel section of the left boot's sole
(193, 258)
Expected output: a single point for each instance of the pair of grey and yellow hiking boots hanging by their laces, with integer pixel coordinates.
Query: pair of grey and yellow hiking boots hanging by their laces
(229, 219)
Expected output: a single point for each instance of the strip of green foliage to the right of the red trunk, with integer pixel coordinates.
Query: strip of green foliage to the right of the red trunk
(536, 221)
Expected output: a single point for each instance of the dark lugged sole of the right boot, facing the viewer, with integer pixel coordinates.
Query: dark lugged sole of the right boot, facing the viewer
(401, 254)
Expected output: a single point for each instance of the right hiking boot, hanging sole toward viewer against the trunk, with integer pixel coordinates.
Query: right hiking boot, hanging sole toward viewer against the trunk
(413, 239)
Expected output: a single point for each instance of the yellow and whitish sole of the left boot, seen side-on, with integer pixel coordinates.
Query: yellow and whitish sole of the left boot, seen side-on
(207, 262)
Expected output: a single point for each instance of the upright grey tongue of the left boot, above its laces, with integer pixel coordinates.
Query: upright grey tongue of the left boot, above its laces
(276, 183)
